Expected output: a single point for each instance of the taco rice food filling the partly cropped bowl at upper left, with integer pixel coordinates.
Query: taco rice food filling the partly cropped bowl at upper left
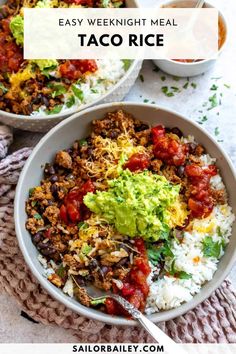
(45, 87)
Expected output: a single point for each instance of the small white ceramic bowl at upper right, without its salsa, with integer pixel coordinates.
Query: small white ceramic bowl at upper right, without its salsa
(180, 69)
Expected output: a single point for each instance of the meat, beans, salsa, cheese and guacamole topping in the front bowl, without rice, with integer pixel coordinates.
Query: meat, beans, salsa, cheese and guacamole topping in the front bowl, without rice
(110, 207)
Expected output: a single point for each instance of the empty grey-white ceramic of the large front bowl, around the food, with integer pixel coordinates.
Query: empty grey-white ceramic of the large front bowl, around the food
(77, 127)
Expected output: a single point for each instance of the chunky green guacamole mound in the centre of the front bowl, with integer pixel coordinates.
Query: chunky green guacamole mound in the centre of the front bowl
(141, 204)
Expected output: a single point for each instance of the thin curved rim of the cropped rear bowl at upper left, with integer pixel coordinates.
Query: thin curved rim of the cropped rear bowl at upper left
(51, 117)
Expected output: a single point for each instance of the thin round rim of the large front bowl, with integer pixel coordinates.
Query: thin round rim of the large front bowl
(82, 310)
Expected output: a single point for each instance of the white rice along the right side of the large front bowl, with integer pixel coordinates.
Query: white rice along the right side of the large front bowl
(170, 292)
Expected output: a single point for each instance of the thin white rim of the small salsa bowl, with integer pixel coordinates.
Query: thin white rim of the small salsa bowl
(221, 14)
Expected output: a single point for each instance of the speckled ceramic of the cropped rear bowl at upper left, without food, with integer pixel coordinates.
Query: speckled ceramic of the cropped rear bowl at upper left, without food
(44, 123)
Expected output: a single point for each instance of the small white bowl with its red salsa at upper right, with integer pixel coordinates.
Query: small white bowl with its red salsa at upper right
(189, 67)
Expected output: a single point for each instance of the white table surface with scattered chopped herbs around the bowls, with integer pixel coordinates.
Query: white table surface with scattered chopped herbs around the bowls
(222, 120)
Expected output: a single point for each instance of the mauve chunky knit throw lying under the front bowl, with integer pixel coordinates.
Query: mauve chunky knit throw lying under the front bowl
(213, 321)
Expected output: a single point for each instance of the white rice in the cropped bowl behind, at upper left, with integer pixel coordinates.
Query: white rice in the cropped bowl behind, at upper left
(94, 86)
